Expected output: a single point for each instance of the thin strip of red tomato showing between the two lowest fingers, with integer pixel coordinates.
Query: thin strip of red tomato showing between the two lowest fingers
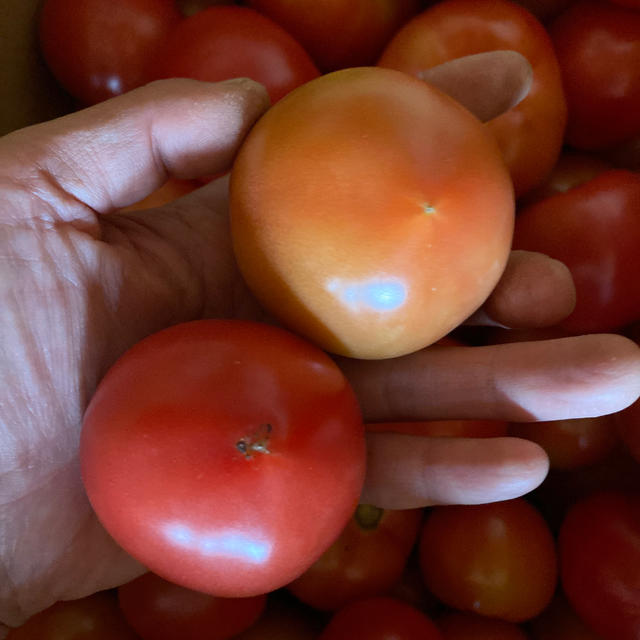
(444, 428)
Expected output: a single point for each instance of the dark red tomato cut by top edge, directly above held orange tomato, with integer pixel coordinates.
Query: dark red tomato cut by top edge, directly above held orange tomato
(340, 33)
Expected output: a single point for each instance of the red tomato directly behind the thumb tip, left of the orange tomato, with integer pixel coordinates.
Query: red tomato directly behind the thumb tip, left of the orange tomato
(219, 43)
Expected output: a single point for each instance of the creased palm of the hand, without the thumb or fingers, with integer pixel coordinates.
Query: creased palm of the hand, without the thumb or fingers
(83, 271)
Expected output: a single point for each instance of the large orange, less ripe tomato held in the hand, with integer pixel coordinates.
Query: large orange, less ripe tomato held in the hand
(394, 202)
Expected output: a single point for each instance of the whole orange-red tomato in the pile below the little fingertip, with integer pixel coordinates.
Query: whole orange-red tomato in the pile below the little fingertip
(497, 559)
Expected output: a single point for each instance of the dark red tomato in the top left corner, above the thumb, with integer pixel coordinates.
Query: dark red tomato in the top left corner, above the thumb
(99, 49)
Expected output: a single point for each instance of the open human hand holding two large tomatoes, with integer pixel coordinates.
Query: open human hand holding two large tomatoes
(81, 283)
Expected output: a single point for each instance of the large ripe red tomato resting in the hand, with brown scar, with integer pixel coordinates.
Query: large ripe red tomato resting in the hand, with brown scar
(224, 455)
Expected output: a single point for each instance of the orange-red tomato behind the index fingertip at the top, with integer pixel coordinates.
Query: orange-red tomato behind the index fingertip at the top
(529, 135)
